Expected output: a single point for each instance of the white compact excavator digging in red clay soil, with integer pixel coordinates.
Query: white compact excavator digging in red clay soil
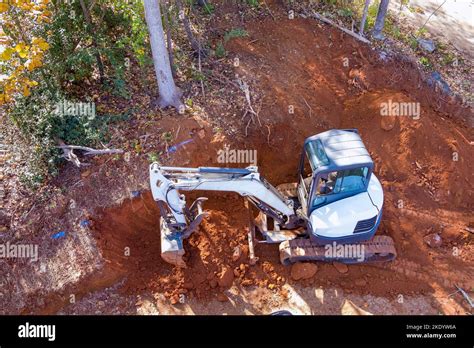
(330, 214)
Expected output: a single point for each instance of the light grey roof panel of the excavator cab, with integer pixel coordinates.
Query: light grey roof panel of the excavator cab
(344, 149)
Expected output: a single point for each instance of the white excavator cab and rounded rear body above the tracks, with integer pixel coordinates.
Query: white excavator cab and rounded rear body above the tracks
(340, 196)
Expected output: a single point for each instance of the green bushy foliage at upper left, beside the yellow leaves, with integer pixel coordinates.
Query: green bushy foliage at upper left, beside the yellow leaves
(118, 35)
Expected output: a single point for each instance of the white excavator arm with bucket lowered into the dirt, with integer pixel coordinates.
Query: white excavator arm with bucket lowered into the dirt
(178, 220)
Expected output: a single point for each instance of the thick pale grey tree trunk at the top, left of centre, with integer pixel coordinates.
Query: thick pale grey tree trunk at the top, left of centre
(170, 95)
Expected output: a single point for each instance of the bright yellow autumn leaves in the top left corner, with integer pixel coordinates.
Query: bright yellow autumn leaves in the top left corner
(18, 60)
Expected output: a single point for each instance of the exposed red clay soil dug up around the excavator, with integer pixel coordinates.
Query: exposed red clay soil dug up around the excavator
(300, 63)
